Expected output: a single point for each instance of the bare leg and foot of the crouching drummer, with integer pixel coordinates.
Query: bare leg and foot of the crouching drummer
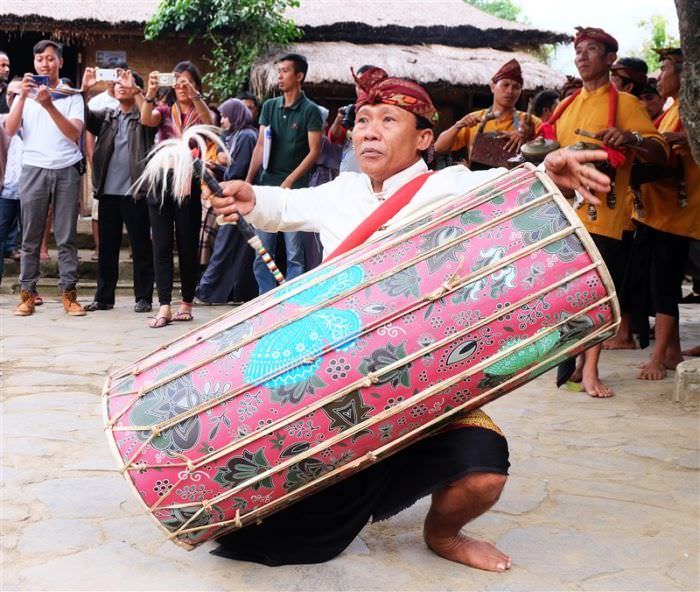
(455, 505)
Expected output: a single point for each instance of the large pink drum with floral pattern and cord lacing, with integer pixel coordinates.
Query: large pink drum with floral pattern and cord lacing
(349, 363)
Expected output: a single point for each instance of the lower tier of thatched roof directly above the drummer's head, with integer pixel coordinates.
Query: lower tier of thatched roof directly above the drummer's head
(329, 62)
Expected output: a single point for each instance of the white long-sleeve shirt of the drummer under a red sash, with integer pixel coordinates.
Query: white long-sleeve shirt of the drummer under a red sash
(335, 209)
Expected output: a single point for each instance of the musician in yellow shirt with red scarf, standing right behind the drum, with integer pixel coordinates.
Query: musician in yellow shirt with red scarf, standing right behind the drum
(621, 124)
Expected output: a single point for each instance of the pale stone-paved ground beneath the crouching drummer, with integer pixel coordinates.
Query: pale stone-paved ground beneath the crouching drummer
(603, 494)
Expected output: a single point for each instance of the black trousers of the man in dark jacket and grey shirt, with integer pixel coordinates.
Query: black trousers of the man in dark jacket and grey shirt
(114, 212)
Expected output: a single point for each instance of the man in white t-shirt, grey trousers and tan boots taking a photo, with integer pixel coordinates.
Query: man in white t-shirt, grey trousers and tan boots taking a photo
(51, 159)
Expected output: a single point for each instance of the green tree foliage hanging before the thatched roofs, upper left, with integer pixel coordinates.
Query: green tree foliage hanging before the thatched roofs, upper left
(237, 32)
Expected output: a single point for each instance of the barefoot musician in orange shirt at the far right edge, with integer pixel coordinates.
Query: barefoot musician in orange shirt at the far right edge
(669, 217)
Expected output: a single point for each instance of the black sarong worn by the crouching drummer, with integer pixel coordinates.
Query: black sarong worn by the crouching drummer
(320, 527)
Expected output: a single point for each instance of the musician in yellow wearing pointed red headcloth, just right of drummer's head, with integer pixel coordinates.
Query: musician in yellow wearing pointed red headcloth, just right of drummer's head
(502, 116)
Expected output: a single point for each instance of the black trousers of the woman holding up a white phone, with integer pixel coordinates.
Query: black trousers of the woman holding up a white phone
(181, 222)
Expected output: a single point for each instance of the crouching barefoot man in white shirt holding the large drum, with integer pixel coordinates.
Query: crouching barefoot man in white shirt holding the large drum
(464, 467)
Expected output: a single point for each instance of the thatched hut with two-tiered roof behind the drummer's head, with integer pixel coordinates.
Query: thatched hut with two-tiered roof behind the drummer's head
(449, 46)
